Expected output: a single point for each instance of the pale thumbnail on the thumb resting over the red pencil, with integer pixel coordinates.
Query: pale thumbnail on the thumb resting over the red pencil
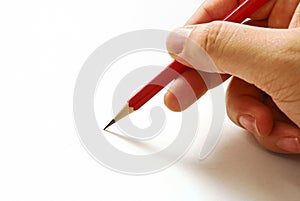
(177, 39)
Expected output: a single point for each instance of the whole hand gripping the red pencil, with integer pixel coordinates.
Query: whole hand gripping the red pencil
(264, 59)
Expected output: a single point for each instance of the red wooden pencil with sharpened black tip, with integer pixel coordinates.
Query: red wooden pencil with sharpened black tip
(238, 15)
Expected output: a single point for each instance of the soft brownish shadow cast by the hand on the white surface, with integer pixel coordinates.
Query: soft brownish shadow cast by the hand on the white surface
(250, 170)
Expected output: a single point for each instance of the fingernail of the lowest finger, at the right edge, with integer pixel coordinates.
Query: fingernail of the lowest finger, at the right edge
(289, 144)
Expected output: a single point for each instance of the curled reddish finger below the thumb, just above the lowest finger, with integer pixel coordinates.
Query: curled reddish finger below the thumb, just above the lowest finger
(246, 109)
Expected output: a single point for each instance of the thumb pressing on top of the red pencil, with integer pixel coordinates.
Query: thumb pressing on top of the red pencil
(239, 50)
